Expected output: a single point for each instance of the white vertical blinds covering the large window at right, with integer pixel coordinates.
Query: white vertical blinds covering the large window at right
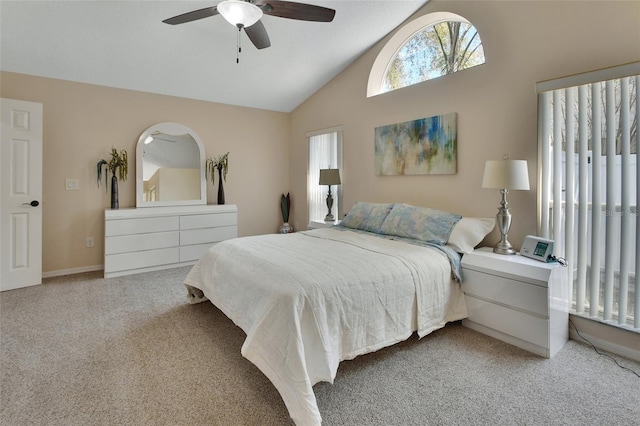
(589, 186)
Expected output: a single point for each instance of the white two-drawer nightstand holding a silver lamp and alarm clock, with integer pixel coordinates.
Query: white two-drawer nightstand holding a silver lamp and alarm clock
(518, 300)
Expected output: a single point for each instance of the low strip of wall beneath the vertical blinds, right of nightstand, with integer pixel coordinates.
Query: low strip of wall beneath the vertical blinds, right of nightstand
(619, 341)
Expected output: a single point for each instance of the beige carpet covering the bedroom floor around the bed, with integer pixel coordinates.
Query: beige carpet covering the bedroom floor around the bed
(82, 350)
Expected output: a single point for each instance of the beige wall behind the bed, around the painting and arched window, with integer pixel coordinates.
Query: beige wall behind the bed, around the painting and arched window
(524, 42)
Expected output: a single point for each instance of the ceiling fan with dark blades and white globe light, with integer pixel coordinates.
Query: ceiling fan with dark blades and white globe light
(247, 13)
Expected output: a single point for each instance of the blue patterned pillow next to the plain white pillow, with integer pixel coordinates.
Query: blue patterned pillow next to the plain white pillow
(420, 223)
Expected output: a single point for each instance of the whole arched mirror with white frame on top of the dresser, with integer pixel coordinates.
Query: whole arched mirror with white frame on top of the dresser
(170, 161)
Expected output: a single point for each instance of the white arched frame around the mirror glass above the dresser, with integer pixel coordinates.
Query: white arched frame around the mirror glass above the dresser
(168, 128)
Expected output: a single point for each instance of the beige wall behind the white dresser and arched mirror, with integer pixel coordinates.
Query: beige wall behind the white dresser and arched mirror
(81, 124)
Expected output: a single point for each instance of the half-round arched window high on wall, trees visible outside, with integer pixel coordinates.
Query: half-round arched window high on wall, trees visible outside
(431, 46)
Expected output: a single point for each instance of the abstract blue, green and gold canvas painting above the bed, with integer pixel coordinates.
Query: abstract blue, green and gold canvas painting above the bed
(419, 147)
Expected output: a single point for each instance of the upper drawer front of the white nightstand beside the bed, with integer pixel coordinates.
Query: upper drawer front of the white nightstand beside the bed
(505, 291)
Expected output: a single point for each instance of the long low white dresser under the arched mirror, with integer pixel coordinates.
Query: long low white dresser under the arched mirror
(152, 238)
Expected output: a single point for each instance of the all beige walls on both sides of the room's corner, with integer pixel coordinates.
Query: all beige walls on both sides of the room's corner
(524, 42)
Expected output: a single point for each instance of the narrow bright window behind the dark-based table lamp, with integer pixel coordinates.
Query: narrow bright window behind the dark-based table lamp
(325, 152)
